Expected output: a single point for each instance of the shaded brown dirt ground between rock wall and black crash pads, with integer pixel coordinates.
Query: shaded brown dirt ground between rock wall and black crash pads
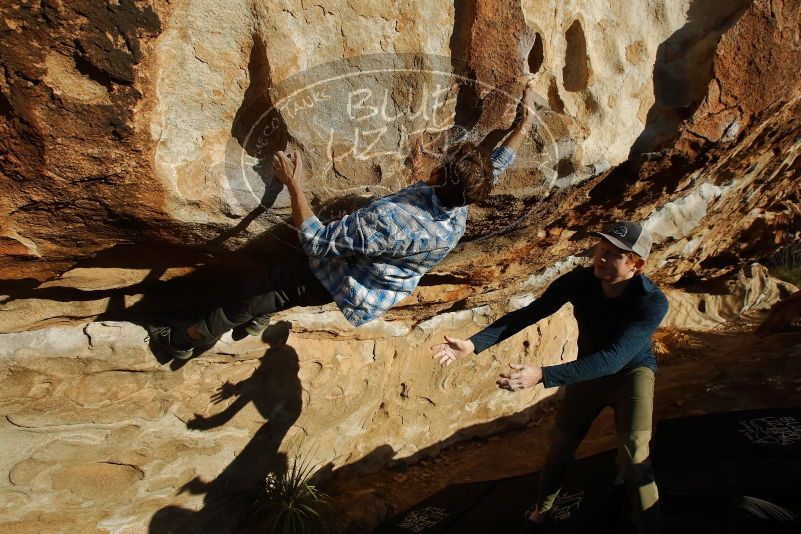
(723, 370)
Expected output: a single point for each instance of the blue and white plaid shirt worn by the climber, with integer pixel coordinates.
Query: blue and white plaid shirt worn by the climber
(373, 258)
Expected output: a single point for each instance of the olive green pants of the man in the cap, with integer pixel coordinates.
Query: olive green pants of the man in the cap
(630, 393)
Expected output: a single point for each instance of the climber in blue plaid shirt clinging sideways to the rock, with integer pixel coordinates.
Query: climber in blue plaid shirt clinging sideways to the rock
(367, 261)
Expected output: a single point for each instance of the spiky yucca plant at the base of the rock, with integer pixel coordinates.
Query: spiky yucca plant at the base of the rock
(290, 503)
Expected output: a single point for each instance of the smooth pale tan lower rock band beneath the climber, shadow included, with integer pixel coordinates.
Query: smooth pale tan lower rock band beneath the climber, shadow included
(92, 420)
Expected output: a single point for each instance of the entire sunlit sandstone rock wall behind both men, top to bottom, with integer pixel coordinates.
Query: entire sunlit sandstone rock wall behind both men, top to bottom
(135, 141)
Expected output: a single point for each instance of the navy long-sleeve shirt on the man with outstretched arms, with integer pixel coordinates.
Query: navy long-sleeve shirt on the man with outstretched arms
(614, 334)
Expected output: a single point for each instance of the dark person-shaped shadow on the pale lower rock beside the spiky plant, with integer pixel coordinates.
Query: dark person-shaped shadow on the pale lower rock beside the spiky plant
(231, 498)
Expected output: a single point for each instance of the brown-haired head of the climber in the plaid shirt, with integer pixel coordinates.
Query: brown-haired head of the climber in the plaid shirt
(464, 178)
